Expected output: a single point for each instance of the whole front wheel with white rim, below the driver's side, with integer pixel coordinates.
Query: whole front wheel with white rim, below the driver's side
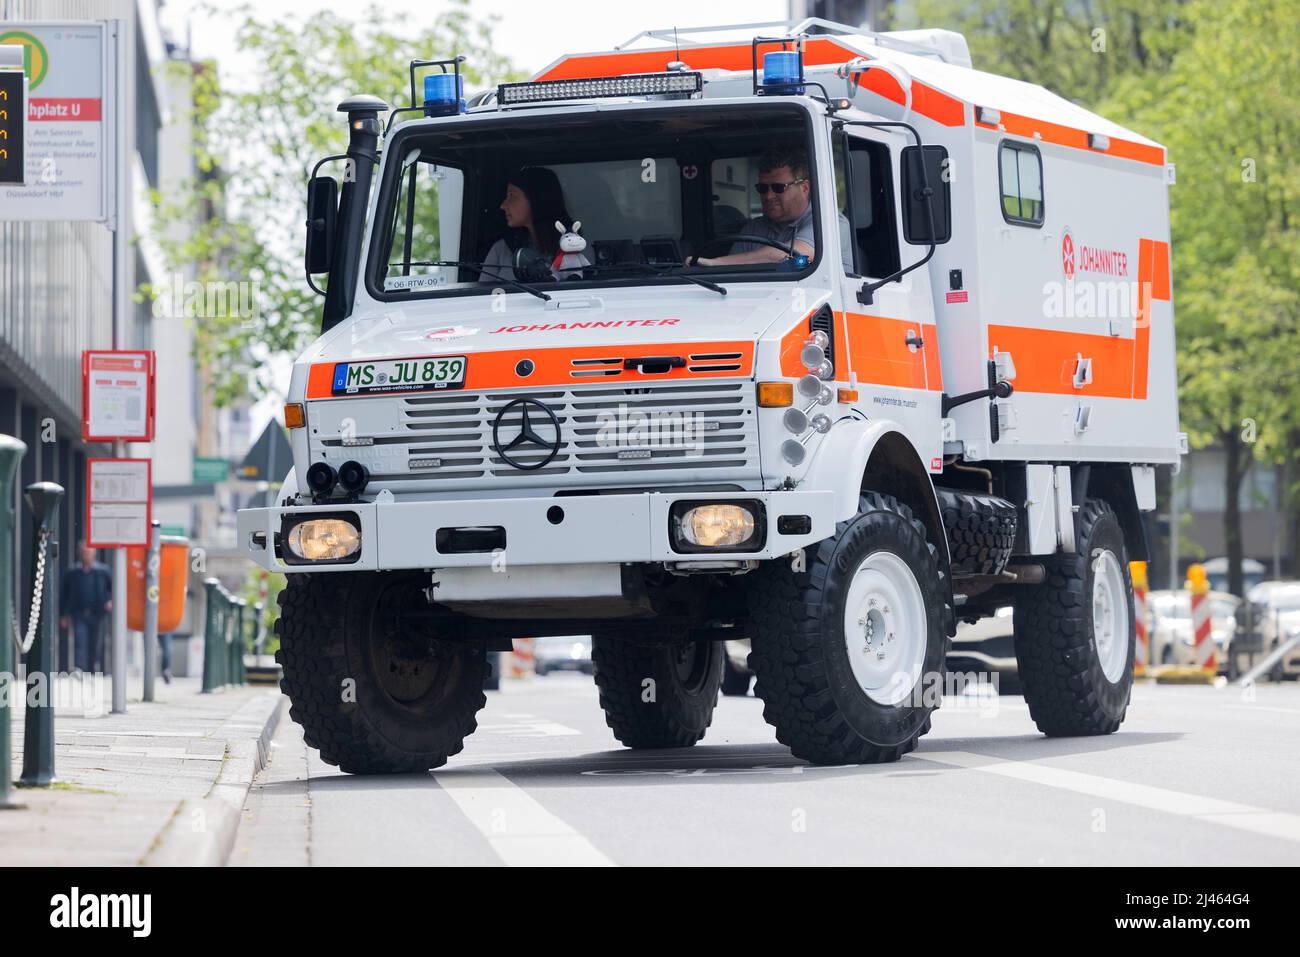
(850, 652)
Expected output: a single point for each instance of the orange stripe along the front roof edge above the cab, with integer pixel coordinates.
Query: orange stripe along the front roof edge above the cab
(739, 57)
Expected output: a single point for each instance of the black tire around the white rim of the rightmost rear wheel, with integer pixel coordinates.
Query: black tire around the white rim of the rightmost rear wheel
(1056, 649)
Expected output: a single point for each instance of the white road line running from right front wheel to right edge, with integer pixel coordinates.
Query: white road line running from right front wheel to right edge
(1210, 809)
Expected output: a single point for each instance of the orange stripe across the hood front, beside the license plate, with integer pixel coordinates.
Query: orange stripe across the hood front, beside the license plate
(553, 366)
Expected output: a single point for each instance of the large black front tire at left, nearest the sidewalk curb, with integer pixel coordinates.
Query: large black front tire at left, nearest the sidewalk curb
(330, 656)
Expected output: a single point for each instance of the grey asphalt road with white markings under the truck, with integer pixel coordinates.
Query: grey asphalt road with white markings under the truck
(1197, 777)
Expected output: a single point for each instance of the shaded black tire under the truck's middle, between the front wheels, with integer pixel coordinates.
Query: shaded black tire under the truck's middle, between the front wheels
(681, 708)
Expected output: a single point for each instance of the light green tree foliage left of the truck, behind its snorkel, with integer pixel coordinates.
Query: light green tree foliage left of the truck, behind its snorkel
(259, 135)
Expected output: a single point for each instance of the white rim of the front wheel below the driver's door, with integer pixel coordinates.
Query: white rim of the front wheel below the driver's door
(886, 629)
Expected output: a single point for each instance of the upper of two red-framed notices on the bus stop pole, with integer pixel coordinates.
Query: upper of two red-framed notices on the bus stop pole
(118, 397)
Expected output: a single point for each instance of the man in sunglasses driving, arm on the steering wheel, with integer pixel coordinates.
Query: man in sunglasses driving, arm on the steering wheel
(786, 190)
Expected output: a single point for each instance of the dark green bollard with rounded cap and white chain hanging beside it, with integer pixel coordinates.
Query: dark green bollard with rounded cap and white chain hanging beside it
(38, 734)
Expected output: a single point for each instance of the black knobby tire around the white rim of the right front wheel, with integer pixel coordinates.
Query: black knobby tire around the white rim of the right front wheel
(800, 656)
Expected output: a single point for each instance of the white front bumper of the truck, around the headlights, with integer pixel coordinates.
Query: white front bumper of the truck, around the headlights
(592, 530)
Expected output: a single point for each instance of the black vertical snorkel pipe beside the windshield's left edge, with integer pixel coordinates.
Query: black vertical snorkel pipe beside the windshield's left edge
(363, 136)
